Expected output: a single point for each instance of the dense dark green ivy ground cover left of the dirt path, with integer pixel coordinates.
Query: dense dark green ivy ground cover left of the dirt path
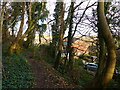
(17, 71)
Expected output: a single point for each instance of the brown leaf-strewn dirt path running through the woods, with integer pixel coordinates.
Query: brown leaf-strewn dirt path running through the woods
(44, 77)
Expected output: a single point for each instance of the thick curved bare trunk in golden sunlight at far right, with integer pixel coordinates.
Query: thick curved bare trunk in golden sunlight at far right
(107, 74)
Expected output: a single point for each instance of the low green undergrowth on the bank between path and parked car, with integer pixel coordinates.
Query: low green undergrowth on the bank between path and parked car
(78, 74)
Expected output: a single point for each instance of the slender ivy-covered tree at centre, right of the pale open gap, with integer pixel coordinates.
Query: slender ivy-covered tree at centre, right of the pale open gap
(55, 29)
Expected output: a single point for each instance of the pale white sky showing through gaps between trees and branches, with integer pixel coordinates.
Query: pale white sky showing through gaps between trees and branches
(51, 6)
